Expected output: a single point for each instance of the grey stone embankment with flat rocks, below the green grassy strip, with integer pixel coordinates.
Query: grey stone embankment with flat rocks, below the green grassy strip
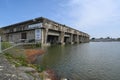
(9, 72)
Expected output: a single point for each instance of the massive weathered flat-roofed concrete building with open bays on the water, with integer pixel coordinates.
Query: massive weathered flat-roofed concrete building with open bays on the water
(44, 31)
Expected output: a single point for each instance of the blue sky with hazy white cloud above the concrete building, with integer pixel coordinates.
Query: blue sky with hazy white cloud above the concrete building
(98, 18)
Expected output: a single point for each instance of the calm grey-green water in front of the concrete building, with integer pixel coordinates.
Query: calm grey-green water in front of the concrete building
(86, 61)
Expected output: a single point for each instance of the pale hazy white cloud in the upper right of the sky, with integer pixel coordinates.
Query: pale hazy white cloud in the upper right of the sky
(91, 13)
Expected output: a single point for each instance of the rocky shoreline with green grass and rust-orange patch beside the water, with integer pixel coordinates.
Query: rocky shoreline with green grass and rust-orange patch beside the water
(9, 71)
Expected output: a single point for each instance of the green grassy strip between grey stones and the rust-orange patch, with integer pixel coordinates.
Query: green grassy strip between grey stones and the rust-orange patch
(20, 59)
